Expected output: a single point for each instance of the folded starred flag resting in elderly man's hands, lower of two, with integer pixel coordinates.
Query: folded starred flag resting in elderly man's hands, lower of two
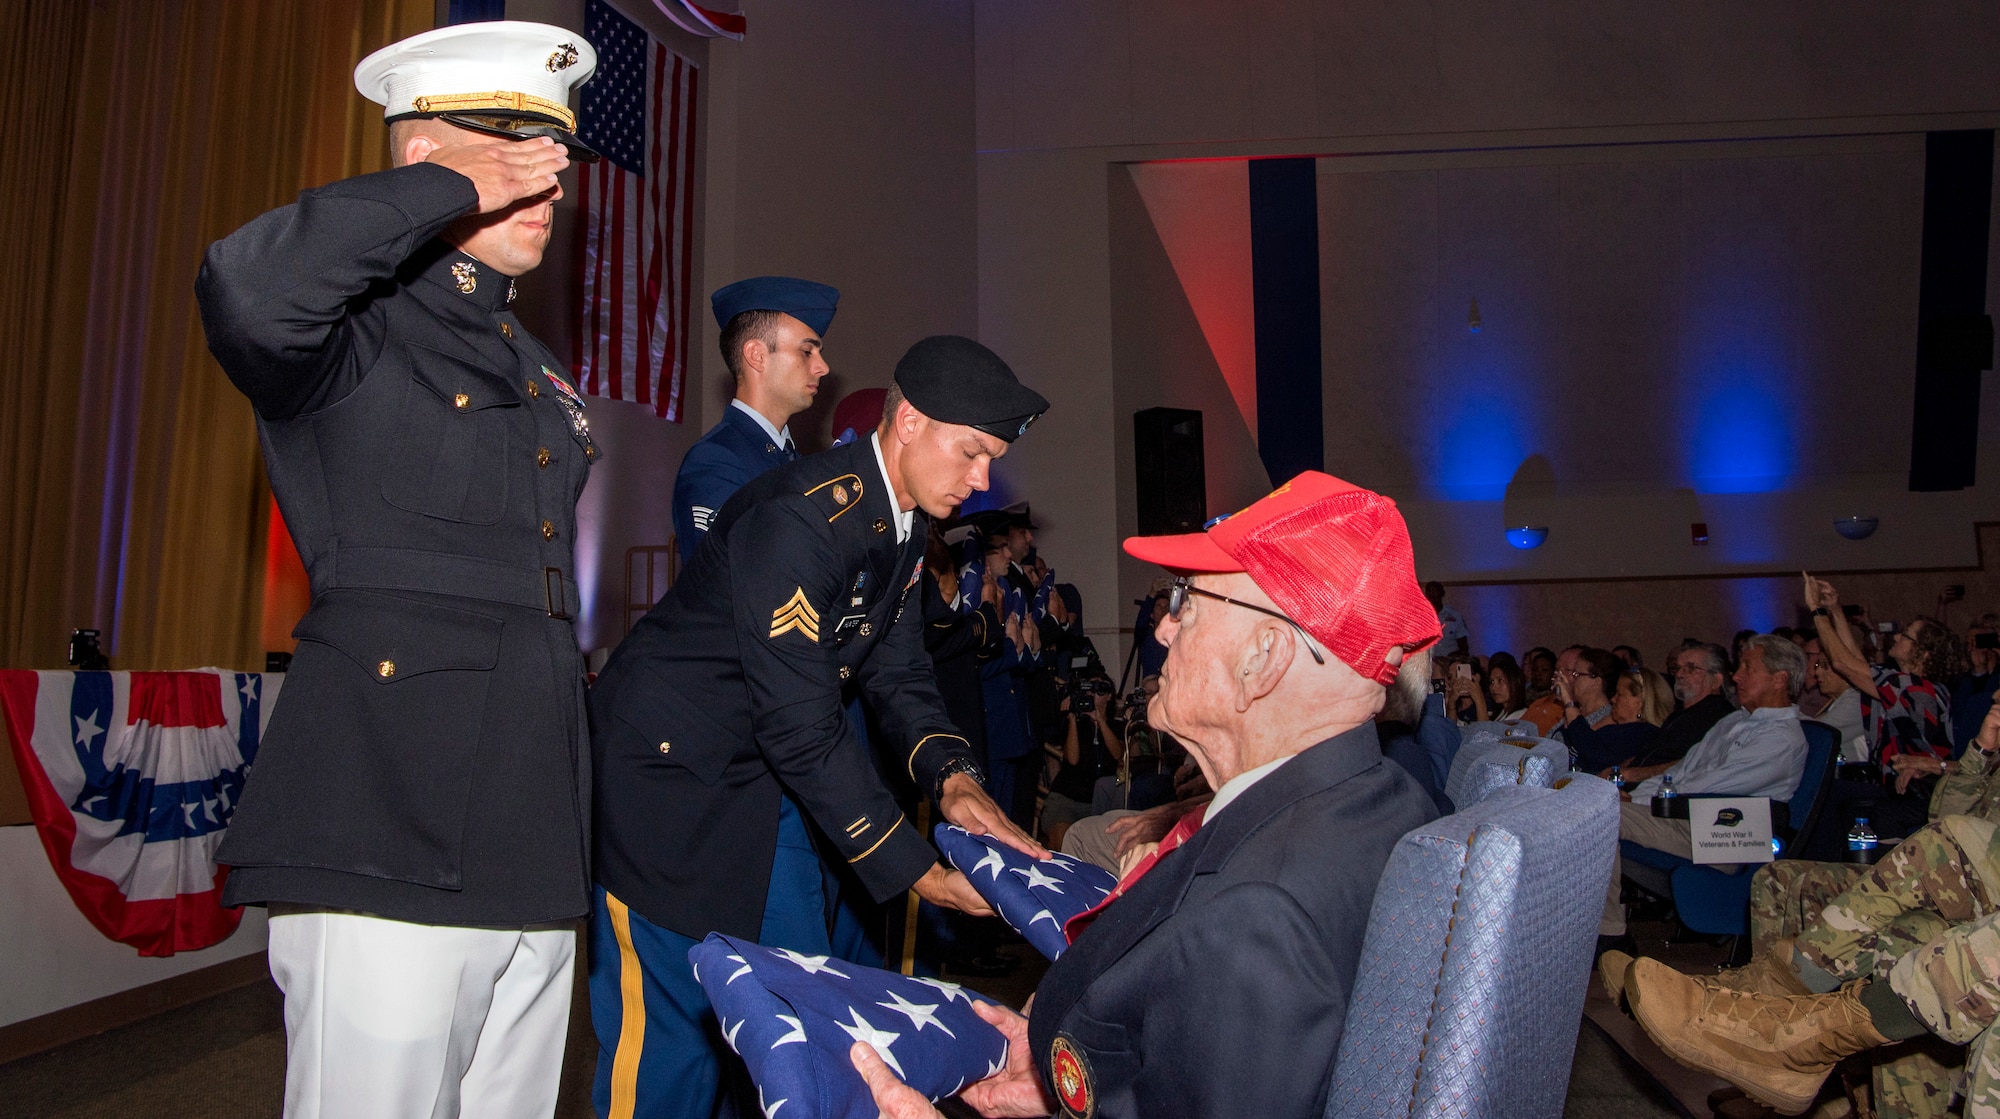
(793, 1018)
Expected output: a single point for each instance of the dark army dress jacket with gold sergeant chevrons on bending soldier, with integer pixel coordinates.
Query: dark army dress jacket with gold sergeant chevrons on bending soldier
(733, 684)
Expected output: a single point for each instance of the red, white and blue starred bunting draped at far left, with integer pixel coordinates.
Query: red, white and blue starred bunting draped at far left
(133, 780)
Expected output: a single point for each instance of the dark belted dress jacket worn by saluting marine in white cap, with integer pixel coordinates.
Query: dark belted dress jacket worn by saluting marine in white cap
(429, 758)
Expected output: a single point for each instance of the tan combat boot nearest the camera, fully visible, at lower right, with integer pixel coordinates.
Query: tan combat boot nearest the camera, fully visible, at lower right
(1779, 1050)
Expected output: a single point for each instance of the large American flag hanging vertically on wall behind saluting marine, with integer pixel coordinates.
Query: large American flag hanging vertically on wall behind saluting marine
(637, 213)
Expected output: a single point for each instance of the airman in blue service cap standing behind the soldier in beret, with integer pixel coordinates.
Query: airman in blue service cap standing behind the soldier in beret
(771, 343)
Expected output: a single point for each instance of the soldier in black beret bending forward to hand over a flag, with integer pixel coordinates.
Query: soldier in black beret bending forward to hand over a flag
(719, 732)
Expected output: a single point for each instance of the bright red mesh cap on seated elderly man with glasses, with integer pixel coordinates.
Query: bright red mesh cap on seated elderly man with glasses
(1331, 555)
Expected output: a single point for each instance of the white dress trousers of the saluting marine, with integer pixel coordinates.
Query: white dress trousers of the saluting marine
(387, 1020)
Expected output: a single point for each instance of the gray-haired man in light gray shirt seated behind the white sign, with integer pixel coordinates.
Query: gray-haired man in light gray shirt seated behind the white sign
(1757, 752)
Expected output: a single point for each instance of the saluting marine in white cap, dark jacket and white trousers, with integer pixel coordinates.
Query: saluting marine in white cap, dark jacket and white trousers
(421, 808)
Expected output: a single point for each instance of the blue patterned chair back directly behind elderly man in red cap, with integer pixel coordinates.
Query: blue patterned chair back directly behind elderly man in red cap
(1477, 960)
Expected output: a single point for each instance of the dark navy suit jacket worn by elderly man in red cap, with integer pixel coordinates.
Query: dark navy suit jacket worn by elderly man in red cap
(1219, 984)
